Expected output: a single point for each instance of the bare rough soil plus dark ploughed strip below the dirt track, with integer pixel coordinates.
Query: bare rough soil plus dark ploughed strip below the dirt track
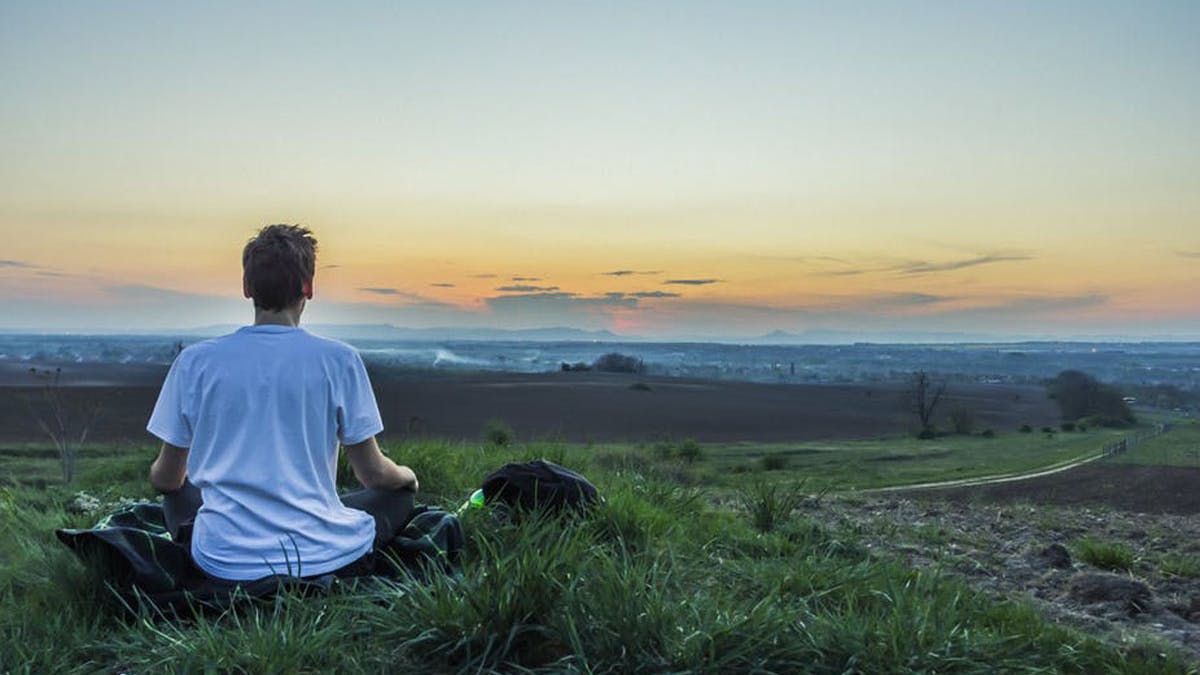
(1024, 537)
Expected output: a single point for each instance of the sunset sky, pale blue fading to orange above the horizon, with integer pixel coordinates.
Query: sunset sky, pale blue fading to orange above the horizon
(652, 169)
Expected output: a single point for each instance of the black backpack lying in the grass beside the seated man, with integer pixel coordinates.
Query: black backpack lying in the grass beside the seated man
(539, 486)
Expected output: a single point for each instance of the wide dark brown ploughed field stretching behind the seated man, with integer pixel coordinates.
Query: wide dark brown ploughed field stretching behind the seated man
(571, 407)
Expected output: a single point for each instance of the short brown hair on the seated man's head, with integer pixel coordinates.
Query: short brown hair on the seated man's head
(275, 265)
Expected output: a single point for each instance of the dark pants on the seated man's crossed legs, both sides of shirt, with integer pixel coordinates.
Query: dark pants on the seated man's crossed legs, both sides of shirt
(392, 511)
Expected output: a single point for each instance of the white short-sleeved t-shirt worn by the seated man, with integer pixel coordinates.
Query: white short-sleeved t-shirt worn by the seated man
(263, 410)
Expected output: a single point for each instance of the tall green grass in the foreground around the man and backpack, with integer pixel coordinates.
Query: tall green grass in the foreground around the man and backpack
(661, 578)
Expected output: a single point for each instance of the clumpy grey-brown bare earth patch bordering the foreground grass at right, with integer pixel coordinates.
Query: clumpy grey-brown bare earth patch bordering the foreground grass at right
(1030, 551)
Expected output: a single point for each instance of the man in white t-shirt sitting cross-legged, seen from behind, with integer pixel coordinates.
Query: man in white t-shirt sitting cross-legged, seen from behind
(251, 425)
